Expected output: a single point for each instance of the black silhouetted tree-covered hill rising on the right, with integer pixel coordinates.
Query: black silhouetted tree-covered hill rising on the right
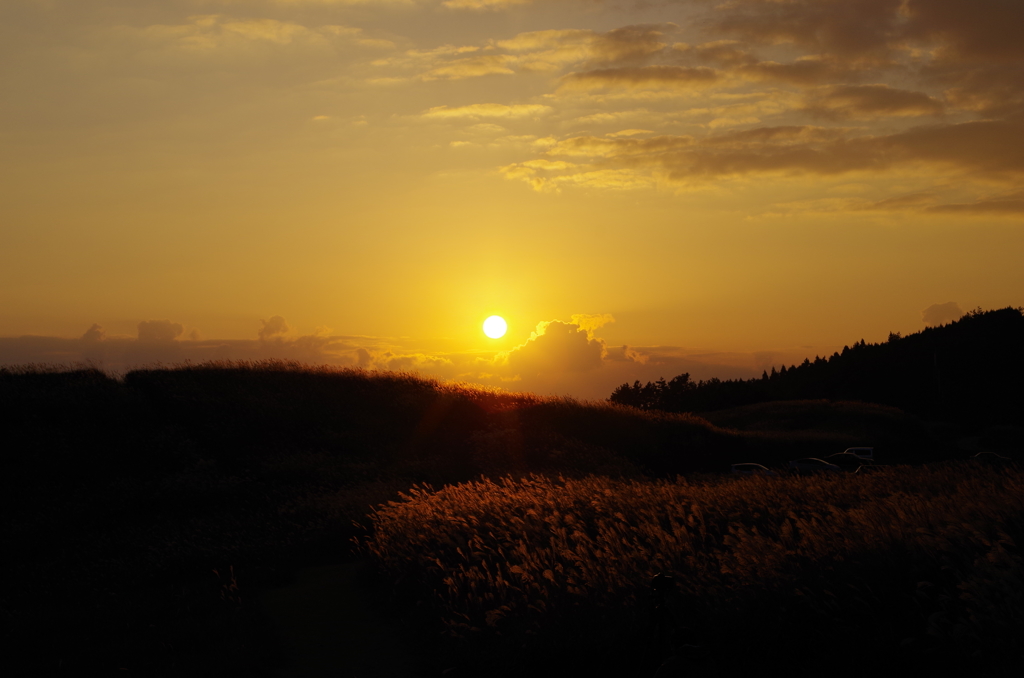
(972, 369)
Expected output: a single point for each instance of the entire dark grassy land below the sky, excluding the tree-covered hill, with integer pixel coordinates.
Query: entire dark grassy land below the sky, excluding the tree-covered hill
(218, 521)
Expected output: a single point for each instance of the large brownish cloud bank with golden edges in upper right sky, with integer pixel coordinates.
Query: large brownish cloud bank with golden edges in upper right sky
(964, 62)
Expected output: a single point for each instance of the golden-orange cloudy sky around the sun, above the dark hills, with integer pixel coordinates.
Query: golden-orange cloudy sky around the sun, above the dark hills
(641, 188)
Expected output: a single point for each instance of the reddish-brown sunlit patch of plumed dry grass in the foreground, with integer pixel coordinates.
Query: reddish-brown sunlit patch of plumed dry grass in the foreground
(924, 557)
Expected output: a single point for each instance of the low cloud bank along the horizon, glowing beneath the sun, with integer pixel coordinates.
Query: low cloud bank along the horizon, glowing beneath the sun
(561, 357)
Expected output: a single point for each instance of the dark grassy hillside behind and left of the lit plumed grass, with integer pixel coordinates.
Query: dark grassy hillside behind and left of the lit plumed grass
(144, 513)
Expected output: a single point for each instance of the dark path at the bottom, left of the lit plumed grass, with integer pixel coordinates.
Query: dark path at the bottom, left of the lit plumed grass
(333, 625)
